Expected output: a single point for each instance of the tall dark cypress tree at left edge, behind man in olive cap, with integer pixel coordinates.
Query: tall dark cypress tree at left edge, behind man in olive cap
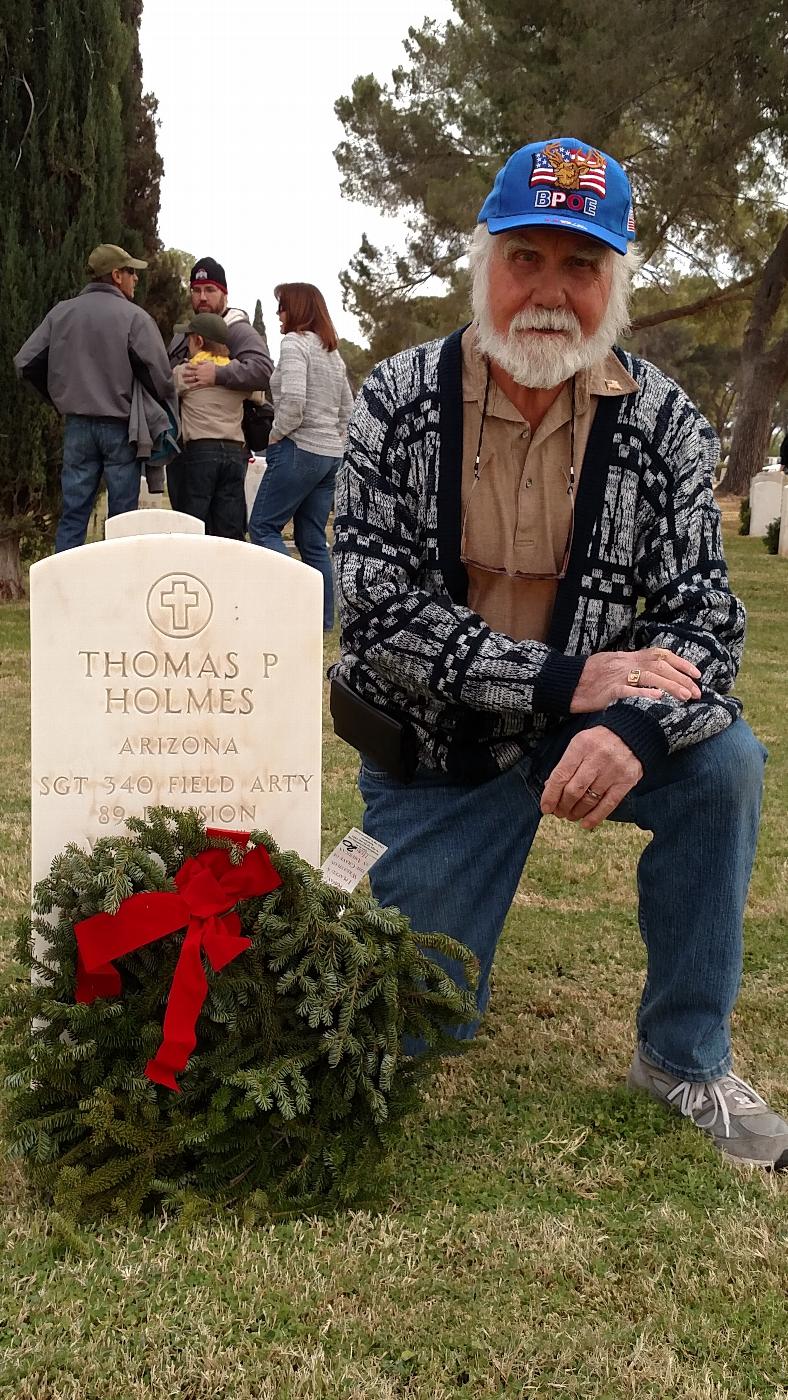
(78, 169)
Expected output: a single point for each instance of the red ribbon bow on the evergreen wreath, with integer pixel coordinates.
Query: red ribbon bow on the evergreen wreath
(208, 890)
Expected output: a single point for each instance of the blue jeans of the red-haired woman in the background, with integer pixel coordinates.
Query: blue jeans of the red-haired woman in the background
(297, 486)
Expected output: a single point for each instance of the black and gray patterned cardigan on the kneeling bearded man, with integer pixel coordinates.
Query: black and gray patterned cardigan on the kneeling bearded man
(647, 537)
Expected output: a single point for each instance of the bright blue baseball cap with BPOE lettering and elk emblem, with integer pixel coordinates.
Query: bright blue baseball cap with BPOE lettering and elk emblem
(566, 184)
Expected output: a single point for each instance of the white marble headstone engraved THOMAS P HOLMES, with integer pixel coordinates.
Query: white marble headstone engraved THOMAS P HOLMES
(176, 670)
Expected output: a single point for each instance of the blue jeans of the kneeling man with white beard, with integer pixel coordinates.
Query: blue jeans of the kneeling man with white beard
(456, 856)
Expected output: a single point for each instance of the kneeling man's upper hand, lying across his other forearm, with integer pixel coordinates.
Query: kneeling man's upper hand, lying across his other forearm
(653, 671)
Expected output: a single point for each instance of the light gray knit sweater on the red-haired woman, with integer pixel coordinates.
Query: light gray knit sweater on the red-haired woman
(311, 395)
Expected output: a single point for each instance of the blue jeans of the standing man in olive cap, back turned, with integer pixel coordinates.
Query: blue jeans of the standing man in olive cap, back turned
(93, 447)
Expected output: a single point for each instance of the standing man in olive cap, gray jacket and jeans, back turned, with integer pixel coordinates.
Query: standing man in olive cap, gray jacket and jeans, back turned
(85, 359)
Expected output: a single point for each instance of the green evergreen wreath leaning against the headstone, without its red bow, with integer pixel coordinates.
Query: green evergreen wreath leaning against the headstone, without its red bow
(299, 1084)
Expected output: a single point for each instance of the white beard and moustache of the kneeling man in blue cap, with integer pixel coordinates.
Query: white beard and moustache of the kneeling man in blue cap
(541, 363)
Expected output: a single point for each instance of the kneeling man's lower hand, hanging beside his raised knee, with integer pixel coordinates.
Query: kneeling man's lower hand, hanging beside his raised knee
(594, 776)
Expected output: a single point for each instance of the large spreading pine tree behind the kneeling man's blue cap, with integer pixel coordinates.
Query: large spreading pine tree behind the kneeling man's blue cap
(701, 131)
